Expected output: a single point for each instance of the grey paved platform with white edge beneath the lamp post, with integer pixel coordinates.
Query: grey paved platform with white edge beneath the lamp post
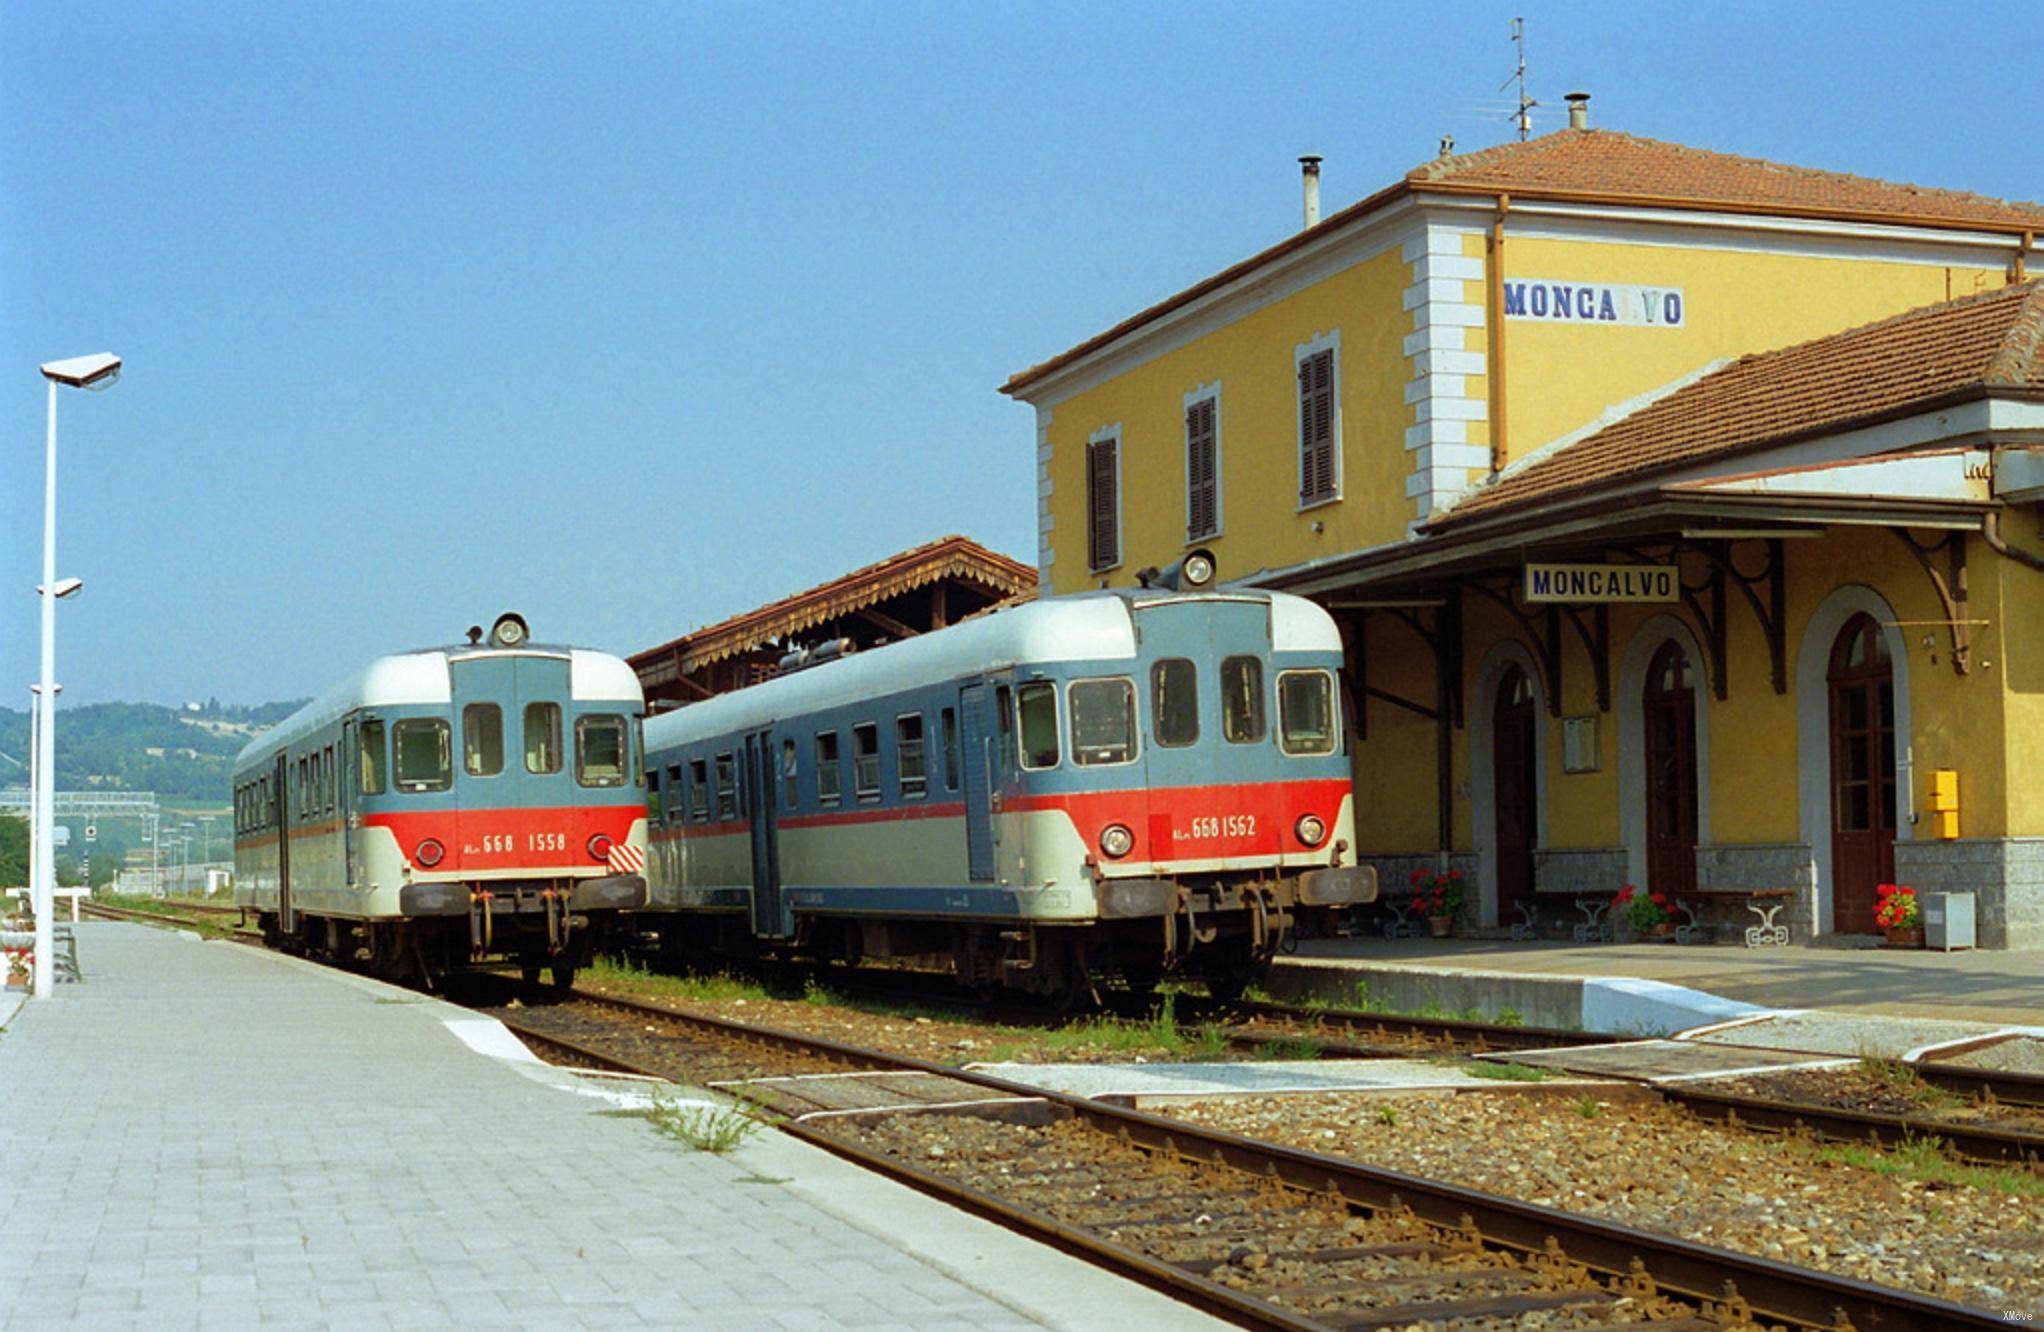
(205, 1135)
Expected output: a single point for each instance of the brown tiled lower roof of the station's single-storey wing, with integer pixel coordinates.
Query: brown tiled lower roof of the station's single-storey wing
(1994, 340)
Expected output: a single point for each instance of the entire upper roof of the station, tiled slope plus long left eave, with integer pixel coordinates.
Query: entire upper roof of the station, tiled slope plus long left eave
(1620, 169)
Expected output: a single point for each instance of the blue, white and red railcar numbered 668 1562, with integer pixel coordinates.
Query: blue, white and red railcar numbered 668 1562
(1097, 788)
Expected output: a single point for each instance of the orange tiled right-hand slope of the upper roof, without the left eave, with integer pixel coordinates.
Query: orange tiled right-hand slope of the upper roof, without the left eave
(1624, 166)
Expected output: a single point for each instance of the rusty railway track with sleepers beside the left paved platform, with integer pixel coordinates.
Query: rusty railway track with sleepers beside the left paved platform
(1256, 1233)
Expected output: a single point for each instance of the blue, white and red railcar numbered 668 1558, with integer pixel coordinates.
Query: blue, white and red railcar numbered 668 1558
(451, 806)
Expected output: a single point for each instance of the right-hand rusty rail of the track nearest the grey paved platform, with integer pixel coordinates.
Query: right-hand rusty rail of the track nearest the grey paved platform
(1698, 1272)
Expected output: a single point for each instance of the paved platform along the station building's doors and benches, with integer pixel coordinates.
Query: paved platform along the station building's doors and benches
(1990, 988)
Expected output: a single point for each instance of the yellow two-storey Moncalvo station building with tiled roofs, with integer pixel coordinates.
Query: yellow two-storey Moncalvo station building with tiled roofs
(1681, 514)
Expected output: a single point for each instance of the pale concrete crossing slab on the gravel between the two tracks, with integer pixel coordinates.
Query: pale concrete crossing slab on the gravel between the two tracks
(1150, 1084)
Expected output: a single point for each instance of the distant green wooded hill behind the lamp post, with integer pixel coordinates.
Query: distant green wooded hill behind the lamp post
(181, 753)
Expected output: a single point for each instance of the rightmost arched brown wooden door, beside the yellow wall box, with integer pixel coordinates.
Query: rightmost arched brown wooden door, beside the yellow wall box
(1863, 773)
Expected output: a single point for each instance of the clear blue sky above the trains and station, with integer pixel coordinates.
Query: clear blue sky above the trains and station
(637, 316)
